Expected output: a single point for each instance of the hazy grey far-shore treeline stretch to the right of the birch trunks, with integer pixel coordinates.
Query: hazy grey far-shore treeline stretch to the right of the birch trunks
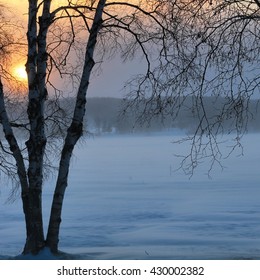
(105, 115)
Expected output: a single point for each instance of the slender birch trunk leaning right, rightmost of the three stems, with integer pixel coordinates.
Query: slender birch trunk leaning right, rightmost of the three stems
(73, 134)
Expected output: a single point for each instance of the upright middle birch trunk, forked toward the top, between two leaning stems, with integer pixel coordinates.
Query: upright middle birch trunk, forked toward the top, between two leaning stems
(36, 69)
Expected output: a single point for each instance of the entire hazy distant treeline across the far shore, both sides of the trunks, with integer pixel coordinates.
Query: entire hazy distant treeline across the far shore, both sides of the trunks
(105, 115)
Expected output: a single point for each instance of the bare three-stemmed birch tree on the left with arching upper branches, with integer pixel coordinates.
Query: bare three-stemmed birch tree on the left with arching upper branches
(54, 35)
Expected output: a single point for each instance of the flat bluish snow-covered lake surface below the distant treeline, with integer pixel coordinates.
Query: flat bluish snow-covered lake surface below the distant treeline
(124, 201)
